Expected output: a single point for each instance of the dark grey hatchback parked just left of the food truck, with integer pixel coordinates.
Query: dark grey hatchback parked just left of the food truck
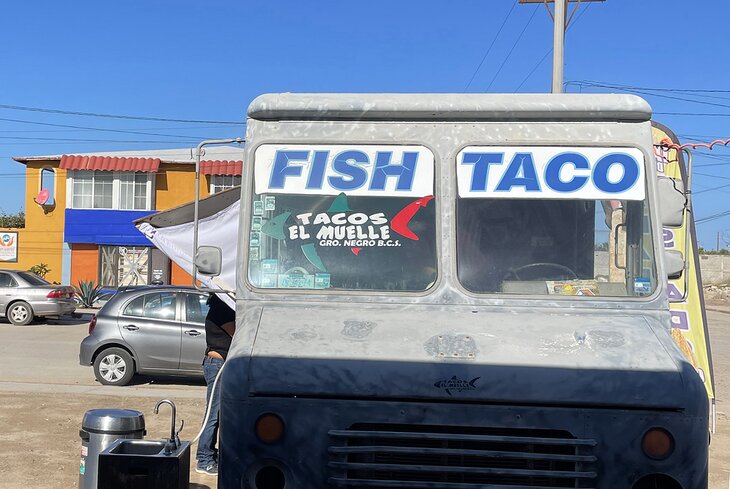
(151, 330)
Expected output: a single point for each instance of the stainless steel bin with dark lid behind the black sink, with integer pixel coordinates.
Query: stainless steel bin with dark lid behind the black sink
(99, 429)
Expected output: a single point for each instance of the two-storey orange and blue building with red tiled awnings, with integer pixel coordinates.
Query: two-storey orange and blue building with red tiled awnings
(79, 212)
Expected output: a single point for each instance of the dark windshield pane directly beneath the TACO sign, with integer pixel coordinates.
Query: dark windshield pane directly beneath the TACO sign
(561, 247)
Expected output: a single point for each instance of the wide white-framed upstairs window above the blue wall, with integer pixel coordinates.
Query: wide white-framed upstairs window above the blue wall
(110, 190)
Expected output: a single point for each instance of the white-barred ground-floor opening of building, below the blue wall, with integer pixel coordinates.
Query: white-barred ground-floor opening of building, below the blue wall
(124, 265)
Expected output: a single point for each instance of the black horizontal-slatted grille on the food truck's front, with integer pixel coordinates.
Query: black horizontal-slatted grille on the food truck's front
(459, 457)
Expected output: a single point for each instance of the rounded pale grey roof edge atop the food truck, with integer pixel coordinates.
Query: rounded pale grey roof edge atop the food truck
(450, 107)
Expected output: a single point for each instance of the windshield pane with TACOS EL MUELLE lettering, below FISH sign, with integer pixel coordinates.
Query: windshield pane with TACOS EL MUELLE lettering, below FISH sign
(342, 242)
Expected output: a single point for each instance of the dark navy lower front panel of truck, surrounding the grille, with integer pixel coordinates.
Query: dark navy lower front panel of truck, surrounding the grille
(343, 443)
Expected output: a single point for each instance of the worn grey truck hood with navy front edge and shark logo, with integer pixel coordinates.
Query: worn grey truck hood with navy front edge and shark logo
(615, 359)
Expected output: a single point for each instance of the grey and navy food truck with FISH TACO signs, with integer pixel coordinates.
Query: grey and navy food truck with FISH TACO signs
(452, 292)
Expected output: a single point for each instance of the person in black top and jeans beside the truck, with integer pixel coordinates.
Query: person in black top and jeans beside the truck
(219, 328)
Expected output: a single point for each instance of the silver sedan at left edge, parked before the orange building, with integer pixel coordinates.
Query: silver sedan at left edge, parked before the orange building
(24, 295)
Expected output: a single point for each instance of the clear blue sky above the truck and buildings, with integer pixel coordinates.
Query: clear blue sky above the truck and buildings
(206, 60)
